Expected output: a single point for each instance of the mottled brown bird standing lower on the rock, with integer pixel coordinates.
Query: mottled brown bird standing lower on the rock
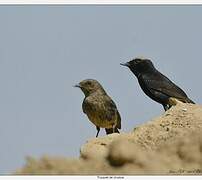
(99, 107)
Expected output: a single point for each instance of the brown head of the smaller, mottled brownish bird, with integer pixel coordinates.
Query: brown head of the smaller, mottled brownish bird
(89, 86)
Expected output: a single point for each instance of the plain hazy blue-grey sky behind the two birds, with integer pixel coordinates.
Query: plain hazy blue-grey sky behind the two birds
(45, 50)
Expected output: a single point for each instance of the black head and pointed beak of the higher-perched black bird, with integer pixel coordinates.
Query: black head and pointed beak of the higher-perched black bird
(139, 65)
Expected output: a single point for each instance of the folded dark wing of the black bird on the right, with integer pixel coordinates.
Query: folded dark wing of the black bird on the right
(165, 86)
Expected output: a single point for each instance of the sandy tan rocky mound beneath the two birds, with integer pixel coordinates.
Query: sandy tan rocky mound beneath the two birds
(169, 144)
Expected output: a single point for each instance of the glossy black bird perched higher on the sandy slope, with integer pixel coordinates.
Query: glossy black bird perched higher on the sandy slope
(154, 84)
